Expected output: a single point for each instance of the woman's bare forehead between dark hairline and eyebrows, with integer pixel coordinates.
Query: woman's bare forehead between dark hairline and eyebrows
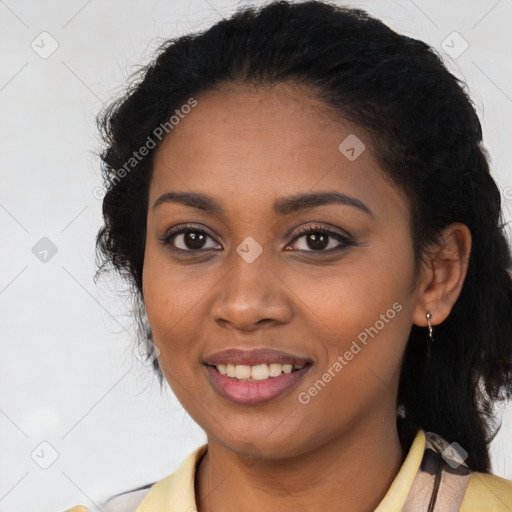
(248, 145)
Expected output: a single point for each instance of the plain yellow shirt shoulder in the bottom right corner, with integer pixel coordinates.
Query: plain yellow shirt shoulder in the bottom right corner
(487, 492)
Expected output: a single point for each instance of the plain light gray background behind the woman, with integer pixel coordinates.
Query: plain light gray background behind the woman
(68, 374)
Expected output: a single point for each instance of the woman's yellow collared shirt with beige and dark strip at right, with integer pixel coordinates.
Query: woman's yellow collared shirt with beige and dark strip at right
(433, 477)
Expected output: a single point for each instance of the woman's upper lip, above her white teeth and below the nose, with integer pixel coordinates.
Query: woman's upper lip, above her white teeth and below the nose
(253, 357)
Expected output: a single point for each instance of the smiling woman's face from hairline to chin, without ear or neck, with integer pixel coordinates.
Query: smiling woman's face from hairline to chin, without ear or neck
(243, 275)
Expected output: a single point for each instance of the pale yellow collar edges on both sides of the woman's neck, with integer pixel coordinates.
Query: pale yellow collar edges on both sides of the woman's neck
(176, 492)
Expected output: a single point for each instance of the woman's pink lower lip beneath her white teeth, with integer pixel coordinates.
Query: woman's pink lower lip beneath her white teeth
(254, 392)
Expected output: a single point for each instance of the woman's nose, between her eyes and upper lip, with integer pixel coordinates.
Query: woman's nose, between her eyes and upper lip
(251, 295)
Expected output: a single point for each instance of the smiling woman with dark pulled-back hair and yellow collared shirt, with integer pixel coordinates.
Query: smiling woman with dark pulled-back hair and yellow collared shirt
(302, 203)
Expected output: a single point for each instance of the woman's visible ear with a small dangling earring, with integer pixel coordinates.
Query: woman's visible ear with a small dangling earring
(442, 276)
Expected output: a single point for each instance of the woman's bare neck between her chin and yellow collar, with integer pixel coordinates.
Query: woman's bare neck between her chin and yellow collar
(354, 471)
